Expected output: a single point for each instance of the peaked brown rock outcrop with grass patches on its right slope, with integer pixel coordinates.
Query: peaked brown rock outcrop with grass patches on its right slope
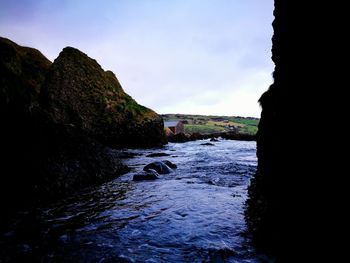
(78, 91)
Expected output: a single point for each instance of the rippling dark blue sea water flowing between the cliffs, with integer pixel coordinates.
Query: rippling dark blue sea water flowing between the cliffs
(194, 214)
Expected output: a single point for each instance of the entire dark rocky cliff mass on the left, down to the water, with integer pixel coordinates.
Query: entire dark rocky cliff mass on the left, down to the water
(59, 120)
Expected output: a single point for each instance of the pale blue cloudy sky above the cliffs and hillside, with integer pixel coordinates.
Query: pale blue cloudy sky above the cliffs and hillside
(208, 57)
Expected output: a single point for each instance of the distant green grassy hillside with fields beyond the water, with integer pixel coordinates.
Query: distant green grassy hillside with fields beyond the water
(210, 124)
